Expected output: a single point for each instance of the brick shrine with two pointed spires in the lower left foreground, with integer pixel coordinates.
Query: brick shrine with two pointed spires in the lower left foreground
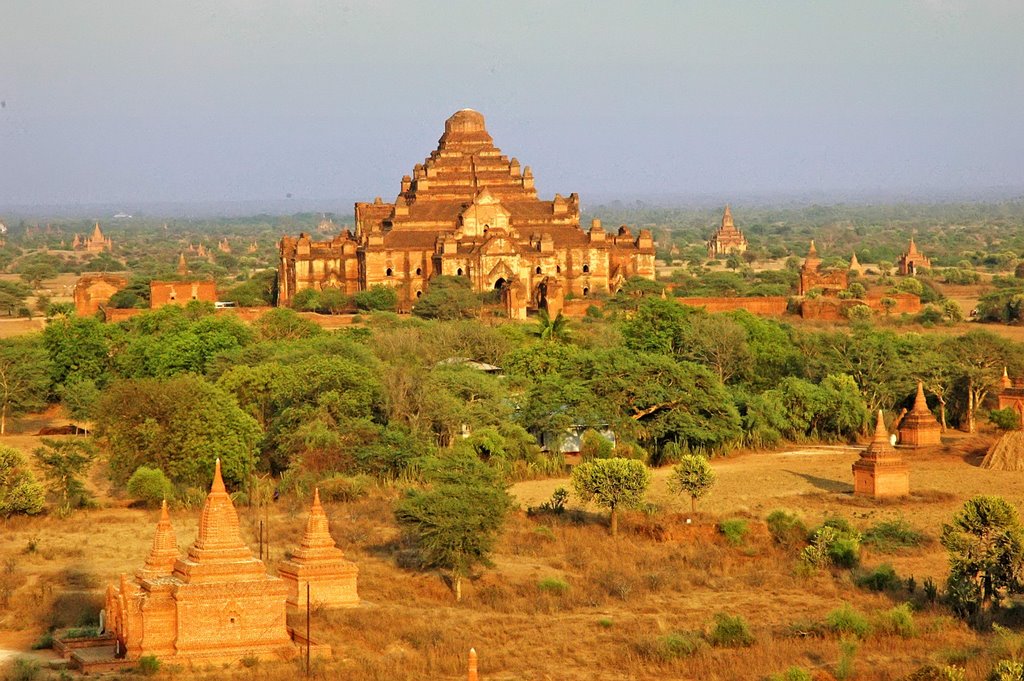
(216, 606)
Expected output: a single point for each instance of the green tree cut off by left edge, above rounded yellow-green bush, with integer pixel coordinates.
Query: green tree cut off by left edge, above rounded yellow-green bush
(25, 378)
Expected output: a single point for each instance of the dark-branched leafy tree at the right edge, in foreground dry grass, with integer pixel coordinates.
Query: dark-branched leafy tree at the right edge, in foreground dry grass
(986, 544)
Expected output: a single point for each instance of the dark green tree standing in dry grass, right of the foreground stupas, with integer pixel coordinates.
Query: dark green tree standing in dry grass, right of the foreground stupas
(456, 519)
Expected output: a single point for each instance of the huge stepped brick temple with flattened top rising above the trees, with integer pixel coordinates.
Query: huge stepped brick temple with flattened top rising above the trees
(470, 211)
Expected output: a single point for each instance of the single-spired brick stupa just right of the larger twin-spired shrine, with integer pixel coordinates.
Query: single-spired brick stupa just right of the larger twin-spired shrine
(322, 565)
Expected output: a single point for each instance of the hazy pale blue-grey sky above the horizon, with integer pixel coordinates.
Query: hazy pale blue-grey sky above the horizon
(139, 102)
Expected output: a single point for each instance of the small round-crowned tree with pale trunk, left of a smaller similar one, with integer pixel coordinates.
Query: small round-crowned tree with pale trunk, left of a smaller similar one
(612, 484)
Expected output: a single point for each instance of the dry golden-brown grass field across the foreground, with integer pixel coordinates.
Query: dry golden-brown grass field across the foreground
(565, 601)
